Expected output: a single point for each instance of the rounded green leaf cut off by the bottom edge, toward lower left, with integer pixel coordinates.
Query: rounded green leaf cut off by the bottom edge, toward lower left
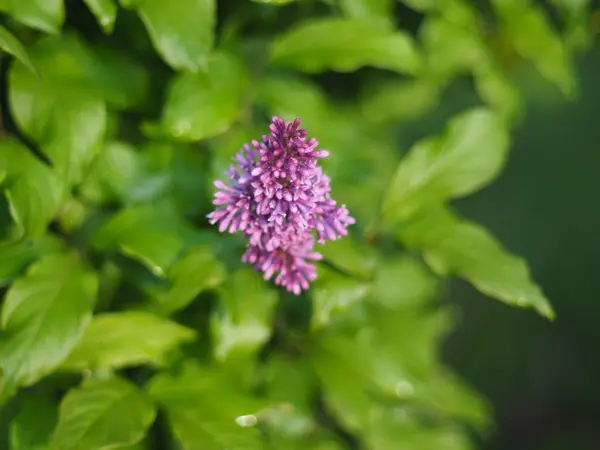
(103, 414)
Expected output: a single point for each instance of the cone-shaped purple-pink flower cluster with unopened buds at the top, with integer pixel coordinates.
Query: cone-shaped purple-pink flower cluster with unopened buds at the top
(278, 197)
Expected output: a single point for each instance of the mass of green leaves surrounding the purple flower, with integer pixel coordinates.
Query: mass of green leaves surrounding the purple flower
(128, 322)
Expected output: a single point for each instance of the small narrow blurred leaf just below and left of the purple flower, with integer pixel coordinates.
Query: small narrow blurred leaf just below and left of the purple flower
(196, 272)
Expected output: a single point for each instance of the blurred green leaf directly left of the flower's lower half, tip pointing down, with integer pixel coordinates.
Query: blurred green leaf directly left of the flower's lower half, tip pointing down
(149, 233)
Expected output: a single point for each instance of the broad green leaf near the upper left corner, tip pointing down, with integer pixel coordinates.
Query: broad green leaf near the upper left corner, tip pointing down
(55, 108)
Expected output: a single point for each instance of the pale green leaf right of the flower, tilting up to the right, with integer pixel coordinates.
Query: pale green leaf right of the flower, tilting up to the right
(465, 158)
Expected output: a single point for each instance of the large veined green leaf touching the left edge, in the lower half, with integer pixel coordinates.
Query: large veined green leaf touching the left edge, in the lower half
(43, 316)
